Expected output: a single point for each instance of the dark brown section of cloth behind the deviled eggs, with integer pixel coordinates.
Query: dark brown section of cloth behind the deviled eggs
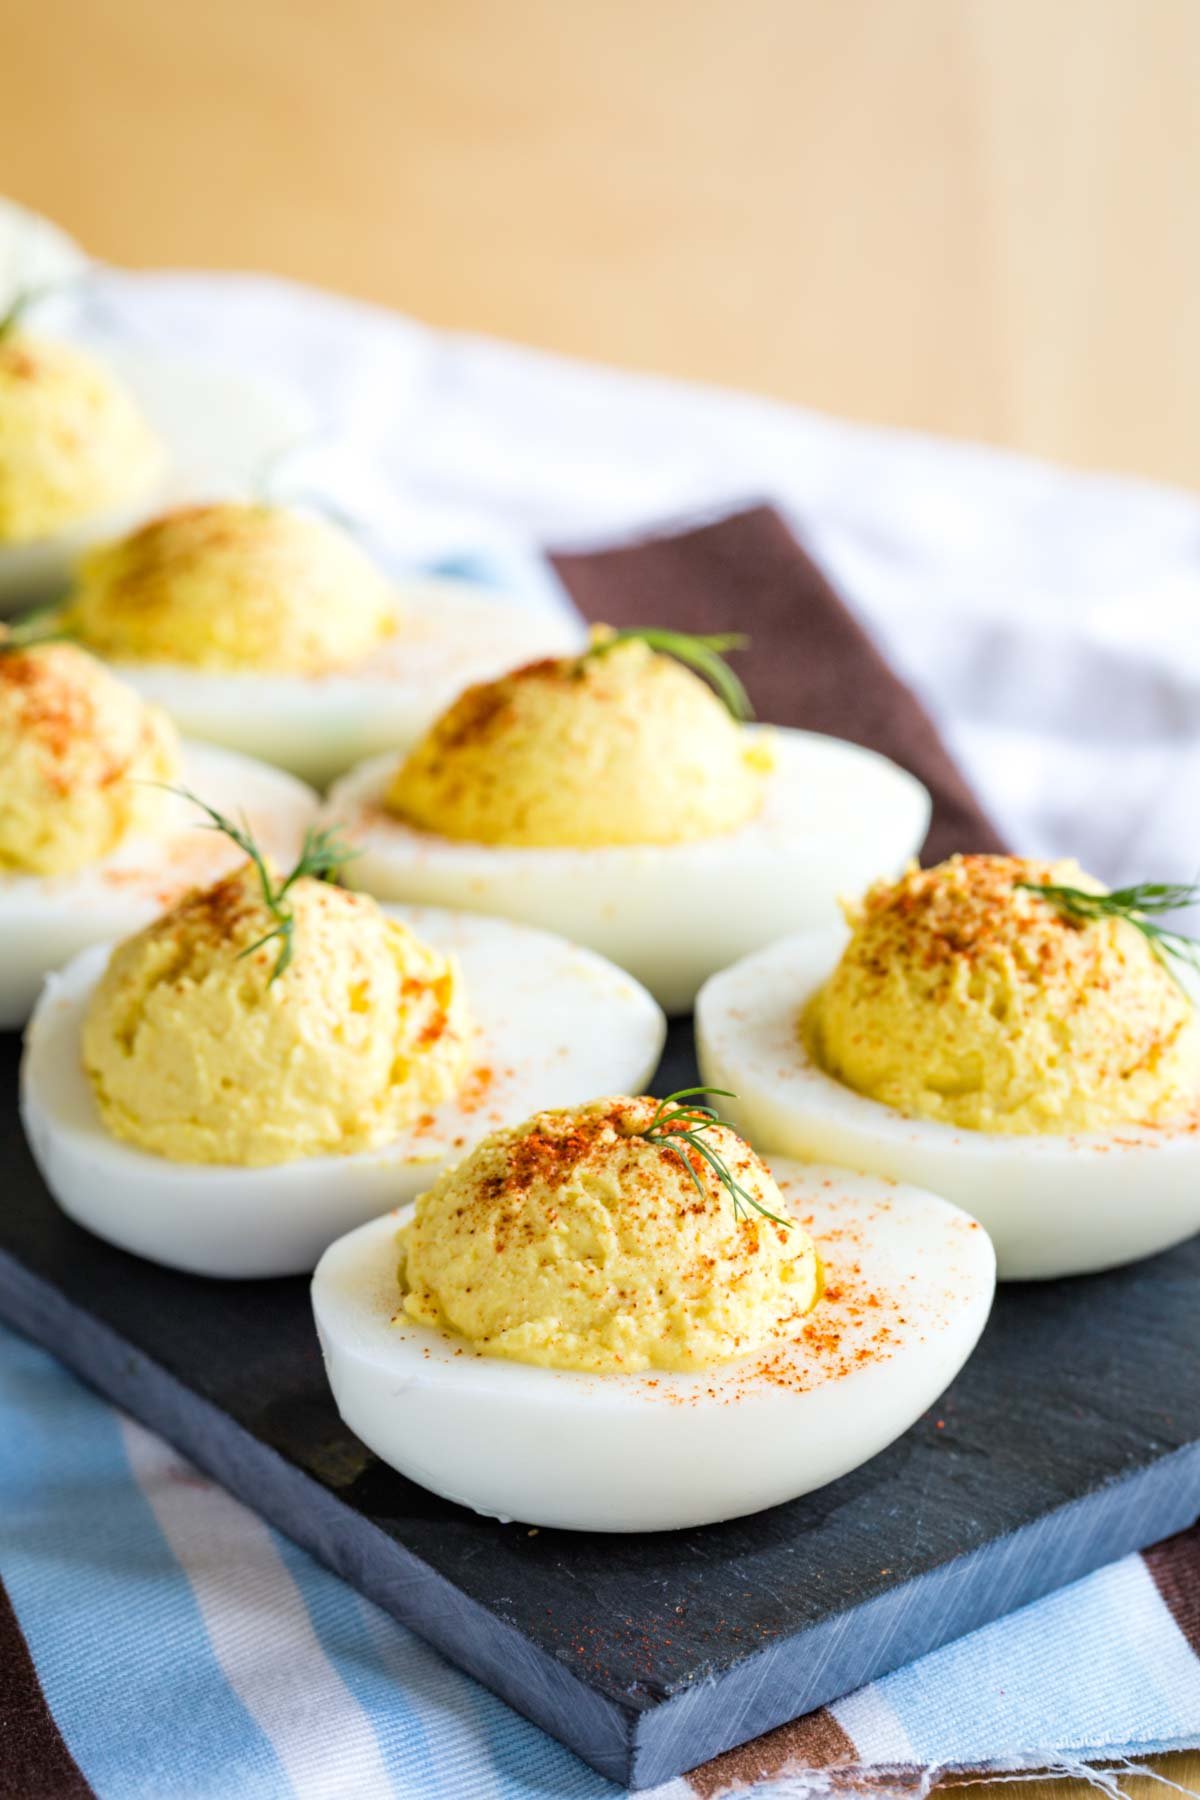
(809, 661)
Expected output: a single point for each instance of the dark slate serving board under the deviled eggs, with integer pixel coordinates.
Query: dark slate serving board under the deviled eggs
(1071, 1439)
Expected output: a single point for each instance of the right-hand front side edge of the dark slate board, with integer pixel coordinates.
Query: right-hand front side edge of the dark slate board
(798, 1675)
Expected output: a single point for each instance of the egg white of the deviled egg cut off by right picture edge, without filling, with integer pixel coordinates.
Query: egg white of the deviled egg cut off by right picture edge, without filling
(1053, 1205)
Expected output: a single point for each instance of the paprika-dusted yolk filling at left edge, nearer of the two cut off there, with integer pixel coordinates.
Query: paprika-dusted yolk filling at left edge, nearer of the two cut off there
(76, 755)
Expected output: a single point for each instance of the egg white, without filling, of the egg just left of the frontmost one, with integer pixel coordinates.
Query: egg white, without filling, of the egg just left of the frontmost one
(557, 1027)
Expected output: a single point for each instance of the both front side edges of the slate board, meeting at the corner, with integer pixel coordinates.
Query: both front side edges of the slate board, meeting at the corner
(638, 1749)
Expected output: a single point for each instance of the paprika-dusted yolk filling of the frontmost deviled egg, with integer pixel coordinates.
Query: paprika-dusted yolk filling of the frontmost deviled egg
(575, 1243)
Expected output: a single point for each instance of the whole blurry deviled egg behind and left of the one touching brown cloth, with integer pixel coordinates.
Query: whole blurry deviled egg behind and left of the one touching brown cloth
(269, 631)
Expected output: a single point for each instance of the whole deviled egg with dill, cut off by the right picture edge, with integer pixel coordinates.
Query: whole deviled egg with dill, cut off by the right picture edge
(998, 1030)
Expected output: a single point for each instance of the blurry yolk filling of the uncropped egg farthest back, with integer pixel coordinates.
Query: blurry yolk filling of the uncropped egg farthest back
(235, 588)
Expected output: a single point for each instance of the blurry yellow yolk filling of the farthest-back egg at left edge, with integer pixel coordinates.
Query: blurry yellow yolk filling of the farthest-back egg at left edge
(73, 444)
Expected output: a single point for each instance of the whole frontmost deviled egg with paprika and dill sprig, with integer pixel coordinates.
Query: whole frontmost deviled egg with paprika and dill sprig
(618, 1318)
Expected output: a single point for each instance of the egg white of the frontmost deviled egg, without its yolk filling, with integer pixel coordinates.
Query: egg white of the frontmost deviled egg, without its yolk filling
(909, 1290)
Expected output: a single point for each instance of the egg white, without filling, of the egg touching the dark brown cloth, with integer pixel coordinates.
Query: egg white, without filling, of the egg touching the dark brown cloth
(832, 820)
